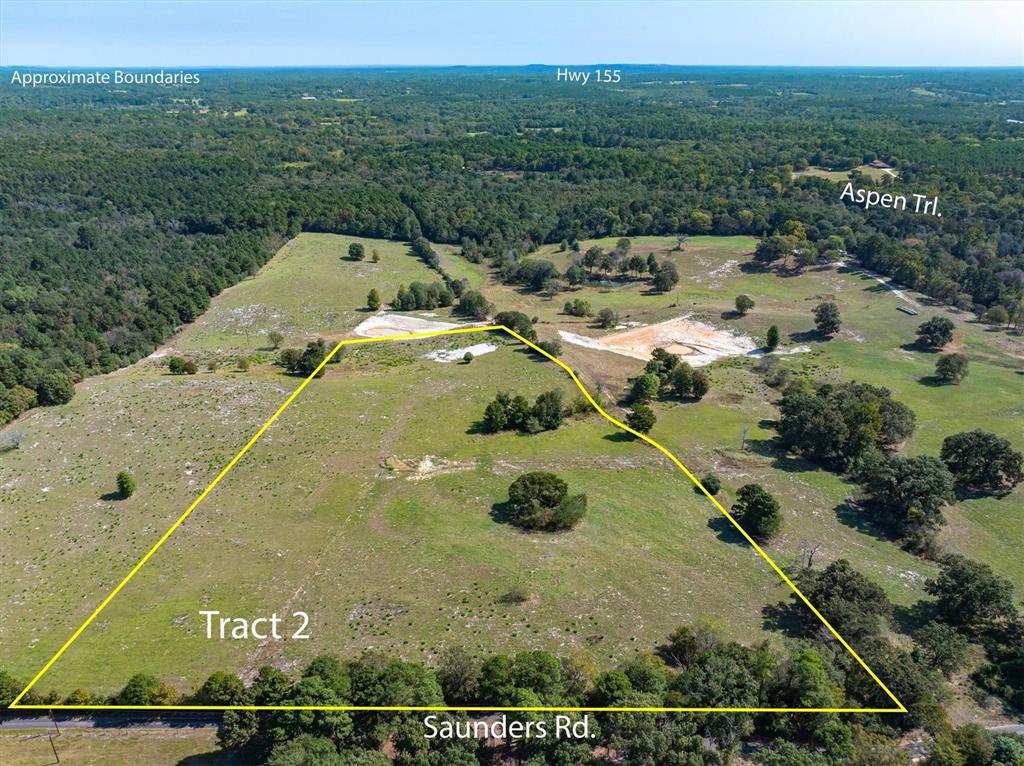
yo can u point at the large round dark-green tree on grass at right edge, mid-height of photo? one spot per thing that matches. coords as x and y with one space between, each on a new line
980 460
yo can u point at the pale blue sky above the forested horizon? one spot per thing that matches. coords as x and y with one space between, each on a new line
267 34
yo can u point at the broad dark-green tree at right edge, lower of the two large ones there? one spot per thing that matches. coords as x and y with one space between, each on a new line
970 595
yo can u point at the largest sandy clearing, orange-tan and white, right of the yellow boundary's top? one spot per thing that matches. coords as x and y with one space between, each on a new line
697 343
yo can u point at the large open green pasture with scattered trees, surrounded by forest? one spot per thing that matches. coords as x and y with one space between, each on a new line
371 504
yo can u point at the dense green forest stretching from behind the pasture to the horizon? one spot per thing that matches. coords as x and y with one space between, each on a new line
121 215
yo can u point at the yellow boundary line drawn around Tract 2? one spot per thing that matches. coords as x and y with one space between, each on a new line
443 708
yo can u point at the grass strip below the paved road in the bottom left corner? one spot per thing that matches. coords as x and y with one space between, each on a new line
185 747
